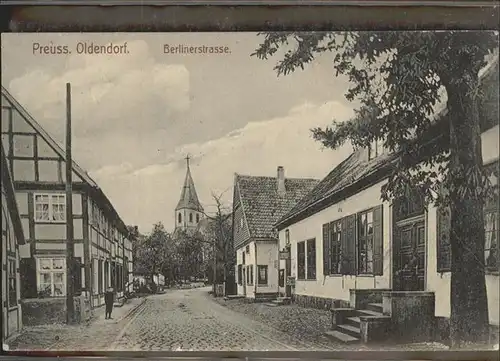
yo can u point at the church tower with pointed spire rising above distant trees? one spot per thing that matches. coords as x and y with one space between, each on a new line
189 211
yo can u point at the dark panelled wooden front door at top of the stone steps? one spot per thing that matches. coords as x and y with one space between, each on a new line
409 256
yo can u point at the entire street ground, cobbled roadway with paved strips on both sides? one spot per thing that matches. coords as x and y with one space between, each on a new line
191 320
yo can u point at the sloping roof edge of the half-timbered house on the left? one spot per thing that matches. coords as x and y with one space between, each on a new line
94 189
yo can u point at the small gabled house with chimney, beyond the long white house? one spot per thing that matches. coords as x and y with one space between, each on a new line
258 202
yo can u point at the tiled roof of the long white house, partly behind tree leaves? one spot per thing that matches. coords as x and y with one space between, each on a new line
357 172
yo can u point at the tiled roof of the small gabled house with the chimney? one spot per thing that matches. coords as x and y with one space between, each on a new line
263 206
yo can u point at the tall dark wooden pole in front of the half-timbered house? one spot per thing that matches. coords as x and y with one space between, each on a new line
70 307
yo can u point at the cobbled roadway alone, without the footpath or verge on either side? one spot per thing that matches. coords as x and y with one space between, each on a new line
192 320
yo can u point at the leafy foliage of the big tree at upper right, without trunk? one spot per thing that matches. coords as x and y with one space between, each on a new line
399 78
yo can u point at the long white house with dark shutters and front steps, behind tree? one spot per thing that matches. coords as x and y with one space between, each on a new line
345 242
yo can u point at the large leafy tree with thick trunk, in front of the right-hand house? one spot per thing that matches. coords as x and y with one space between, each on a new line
399 79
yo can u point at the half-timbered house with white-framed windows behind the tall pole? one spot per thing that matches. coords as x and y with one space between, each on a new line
102 246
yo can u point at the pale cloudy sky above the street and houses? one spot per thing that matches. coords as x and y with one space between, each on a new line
137 115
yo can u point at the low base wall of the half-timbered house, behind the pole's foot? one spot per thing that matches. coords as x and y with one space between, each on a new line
43 311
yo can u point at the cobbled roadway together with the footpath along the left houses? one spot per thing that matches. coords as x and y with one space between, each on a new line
183 320
